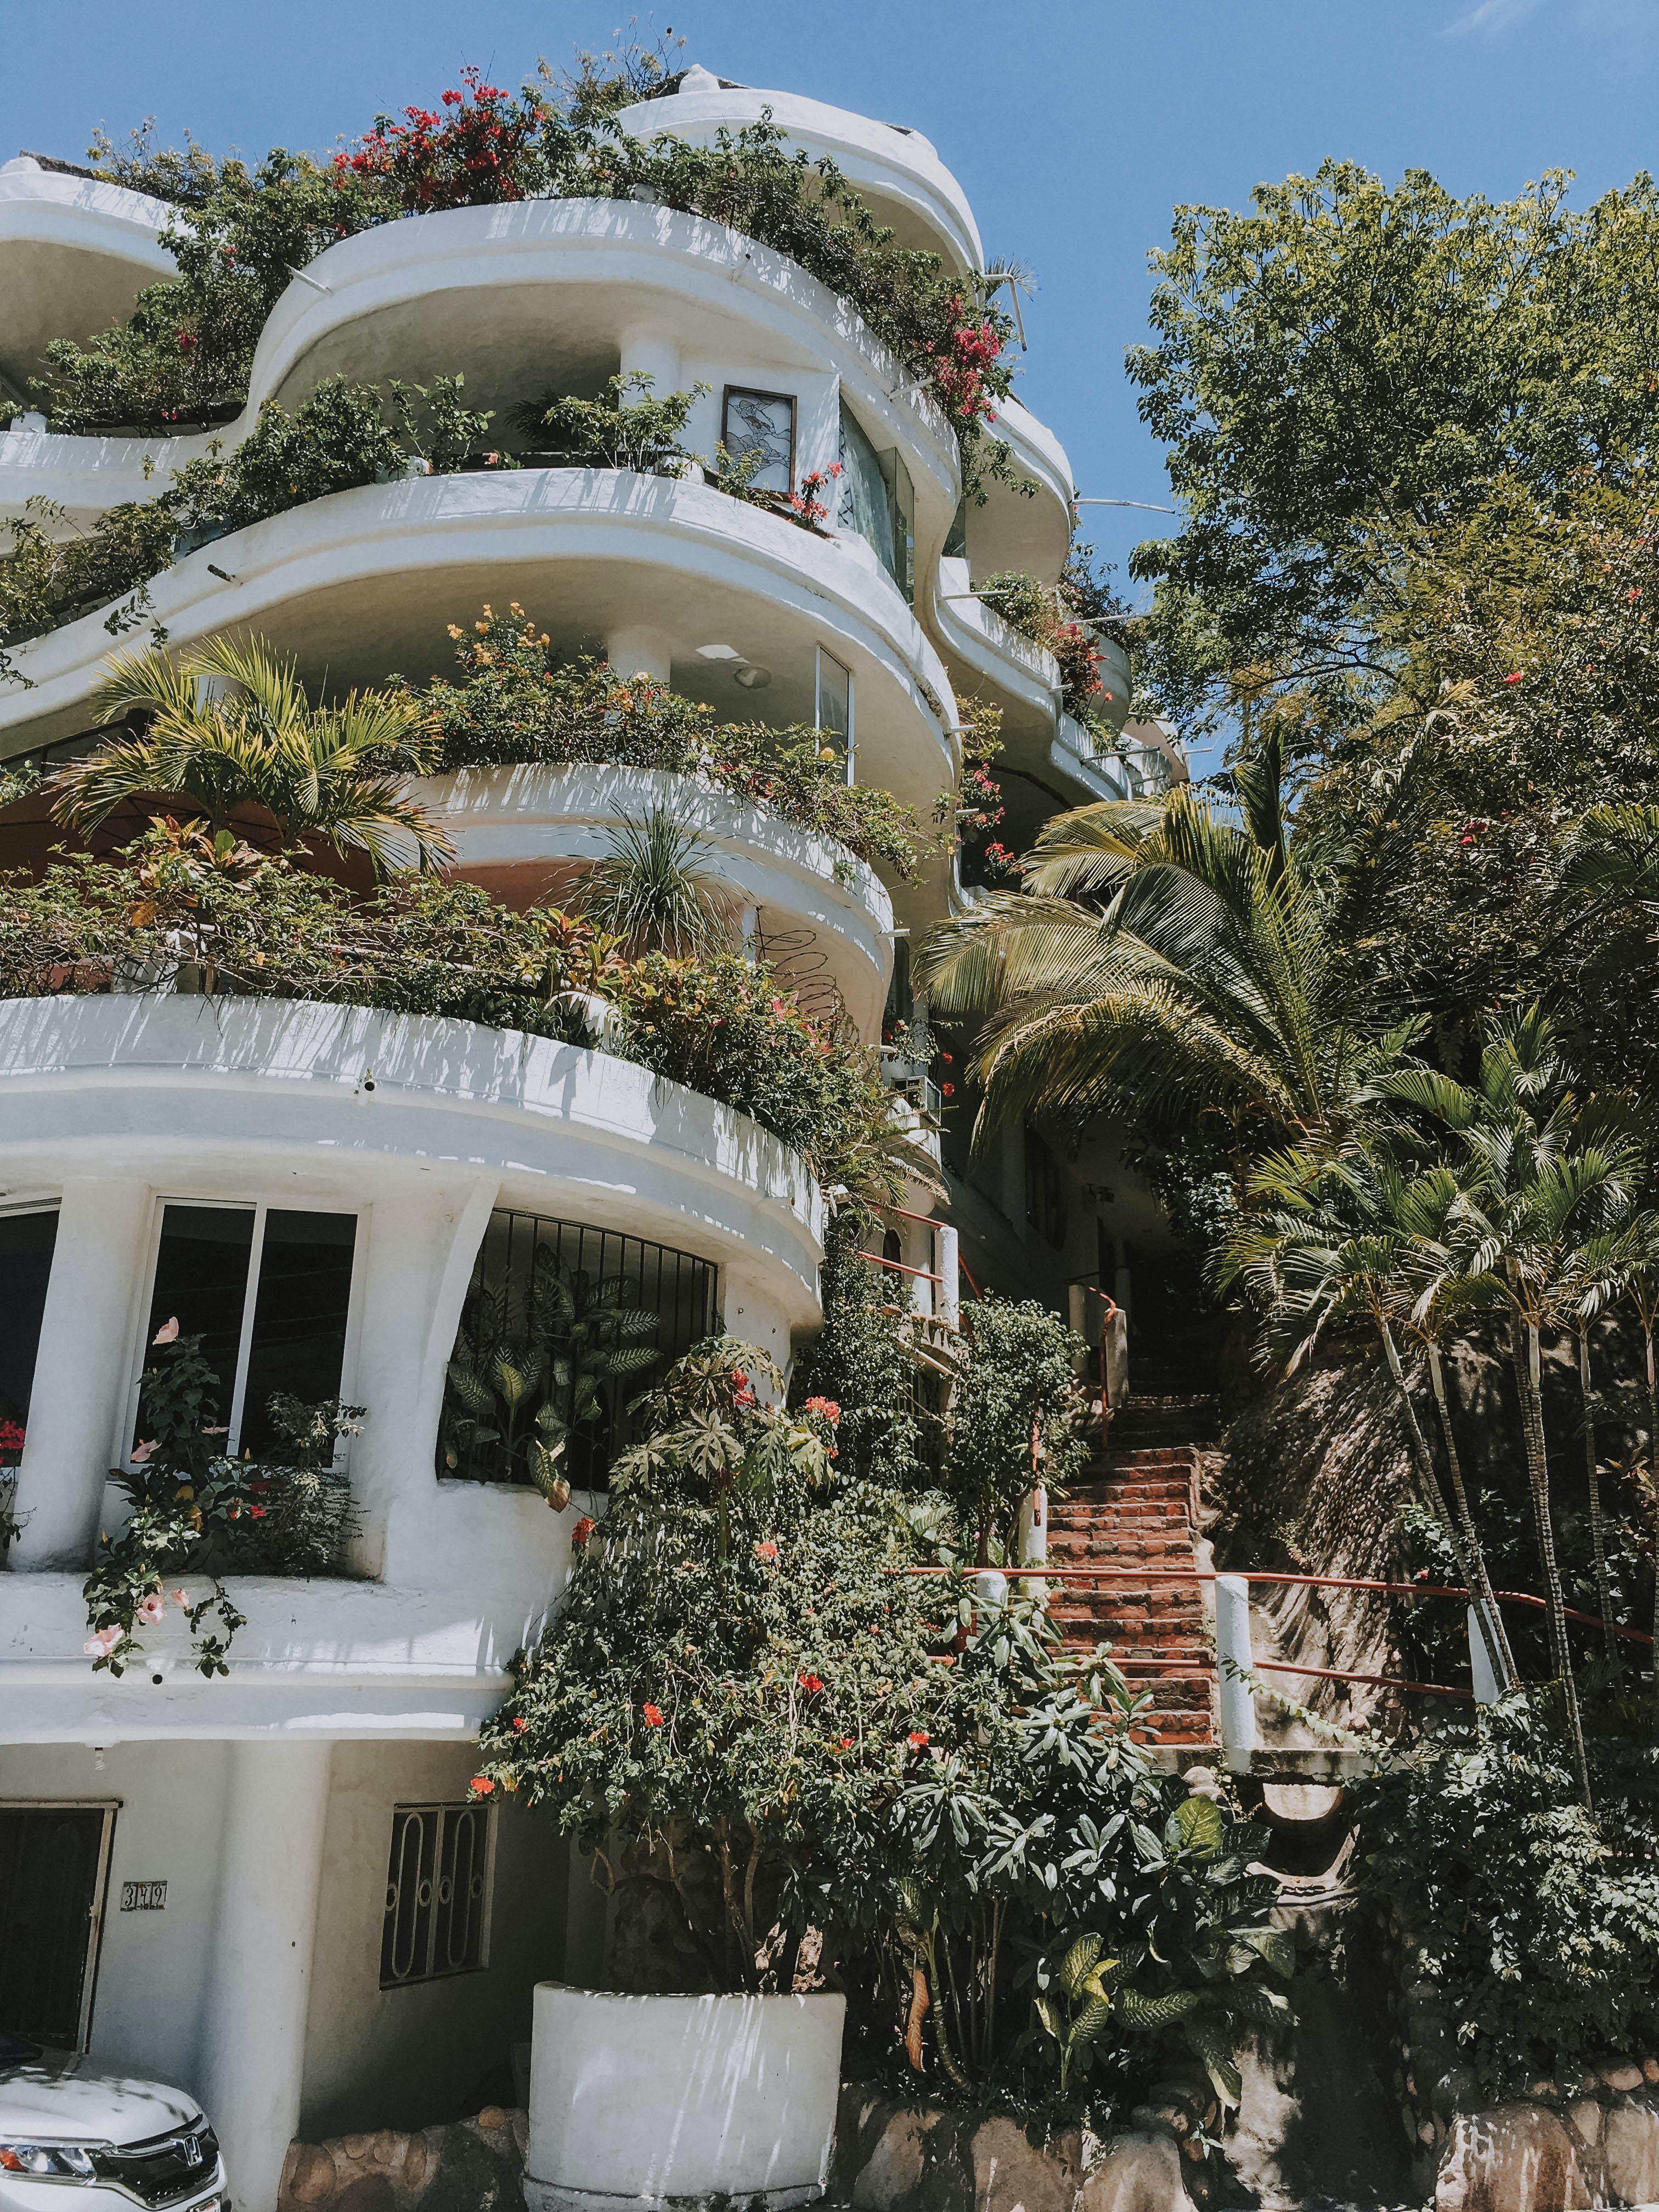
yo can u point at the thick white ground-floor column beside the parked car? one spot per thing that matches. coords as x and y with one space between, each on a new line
253 2027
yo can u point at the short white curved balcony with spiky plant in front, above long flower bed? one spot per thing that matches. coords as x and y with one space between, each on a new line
528 833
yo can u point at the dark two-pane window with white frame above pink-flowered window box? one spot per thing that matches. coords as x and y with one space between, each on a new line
269 1291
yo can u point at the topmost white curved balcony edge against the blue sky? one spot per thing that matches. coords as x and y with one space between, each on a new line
893 169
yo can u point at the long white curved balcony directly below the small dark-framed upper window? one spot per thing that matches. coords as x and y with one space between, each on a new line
368 581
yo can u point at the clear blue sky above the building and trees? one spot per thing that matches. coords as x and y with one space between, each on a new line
1074 127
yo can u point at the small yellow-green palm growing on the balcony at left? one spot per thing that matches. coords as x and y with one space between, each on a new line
227 724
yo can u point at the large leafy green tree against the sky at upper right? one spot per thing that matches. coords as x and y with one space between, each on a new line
1346 357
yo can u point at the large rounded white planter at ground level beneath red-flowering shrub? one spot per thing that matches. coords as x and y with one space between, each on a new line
676 2100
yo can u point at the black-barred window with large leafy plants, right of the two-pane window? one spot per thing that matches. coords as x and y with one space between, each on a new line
674 1286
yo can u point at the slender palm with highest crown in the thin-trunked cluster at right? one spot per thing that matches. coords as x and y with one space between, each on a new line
1550 1178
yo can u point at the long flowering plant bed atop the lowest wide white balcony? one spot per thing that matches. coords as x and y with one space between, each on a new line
202 912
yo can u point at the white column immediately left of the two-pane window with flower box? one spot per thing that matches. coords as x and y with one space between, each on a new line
81 1370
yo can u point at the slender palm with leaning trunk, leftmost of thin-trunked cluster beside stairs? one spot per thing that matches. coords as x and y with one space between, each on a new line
1342 1238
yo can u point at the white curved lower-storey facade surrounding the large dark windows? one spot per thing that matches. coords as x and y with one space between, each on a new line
421 1129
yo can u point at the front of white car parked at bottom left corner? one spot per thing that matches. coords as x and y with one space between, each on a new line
121 2142
